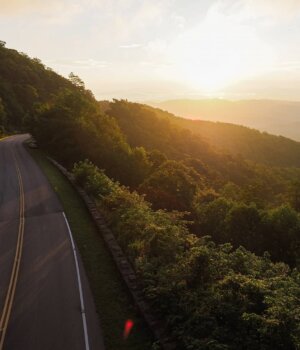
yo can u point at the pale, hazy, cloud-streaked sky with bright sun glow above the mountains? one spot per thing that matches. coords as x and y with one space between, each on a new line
164 49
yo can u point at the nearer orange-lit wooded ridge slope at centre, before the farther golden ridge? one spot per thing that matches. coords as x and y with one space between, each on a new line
144 127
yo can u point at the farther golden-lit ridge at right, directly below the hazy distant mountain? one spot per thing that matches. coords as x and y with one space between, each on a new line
242 141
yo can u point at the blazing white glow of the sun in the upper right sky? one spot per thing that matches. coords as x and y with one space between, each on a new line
218 52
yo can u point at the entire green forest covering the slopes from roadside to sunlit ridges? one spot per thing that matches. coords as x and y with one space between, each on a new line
213 235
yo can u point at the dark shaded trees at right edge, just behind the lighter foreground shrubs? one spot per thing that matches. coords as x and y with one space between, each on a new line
276 230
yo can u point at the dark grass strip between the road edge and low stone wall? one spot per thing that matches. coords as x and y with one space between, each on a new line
112 300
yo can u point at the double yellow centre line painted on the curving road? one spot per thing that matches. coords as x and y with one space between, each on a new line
16 265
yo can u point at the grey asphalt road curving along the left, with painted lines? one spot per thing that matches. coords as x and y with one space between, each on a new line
45 304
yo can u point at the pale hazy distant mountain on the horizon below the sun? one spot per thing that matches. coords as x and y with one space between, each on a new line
275 117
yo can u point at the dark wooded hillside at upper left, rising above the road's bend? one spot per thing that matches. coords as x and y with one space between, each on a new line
24 83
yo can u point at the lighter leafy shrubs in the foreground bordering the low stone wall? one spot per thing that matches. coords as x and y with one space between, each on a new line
213 297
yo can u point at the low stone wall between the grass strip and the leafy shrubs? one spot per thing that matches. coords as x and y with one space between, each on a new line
157 327
